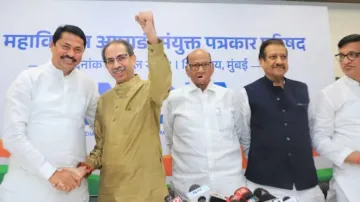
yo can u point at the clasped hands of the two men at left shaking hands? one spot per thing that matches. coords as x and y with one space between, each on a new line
67 179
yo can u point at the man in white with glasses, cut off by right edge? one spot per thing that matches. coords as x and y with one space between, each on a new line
336 129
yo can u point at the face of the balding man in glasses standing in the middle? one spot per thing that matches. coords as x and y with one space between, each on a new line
200 68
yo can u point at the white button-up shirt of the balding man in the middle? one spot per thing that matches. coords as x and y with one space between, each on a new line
203 133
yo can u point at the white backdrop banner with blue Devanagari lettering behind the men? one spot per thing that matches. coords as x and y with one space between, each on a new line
232 33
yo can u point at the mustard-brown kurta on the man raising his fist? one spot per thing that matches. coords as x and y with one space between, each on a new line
127 125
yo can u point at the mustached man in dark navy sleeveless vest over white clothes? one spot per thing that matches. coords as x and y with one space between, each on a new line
276 115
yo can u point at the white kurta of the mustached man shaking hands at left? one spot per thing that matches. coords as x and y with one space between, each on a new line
44 131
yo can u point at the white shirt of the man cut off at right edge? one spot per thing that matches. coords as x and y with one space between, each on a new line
336 132
